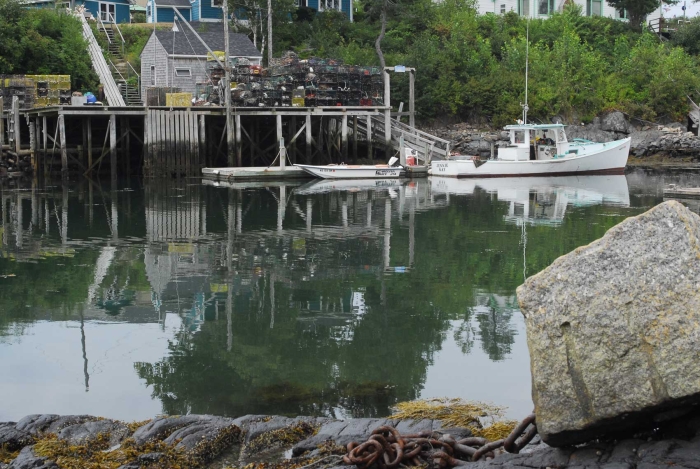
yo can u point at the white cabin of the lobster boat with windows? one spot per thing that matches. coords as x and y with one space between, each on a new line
535 142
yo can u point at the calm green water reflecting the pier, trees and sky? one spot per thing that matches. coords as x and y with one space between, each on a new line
325 299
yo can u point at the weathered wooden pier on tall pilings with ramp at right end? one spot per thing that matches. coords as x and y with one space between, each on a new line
180 141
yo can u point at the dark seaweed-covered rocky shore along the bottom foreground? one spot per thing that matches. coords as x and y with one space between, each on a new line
256 441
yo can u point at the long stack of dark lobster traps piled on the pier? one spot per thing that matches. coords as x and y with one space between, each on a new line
289 81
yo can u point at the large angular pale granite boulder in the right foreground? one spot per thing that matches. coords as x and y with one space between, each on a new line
613 328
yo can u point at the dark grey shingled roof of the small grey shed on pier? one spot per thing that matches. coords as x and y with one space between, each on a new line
183 42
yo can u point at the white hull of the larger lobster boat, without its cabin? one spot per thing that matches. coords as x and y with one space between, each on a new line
599 158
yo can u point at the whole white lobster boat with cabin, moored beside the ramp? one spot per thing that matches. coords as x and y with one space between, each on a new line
540 150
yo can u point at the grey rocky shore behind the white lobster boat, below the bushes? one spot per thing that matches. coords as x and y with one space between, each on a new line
651 144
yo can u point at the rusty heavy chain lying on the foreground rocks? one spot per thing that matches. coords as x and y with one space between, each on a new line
388 449
